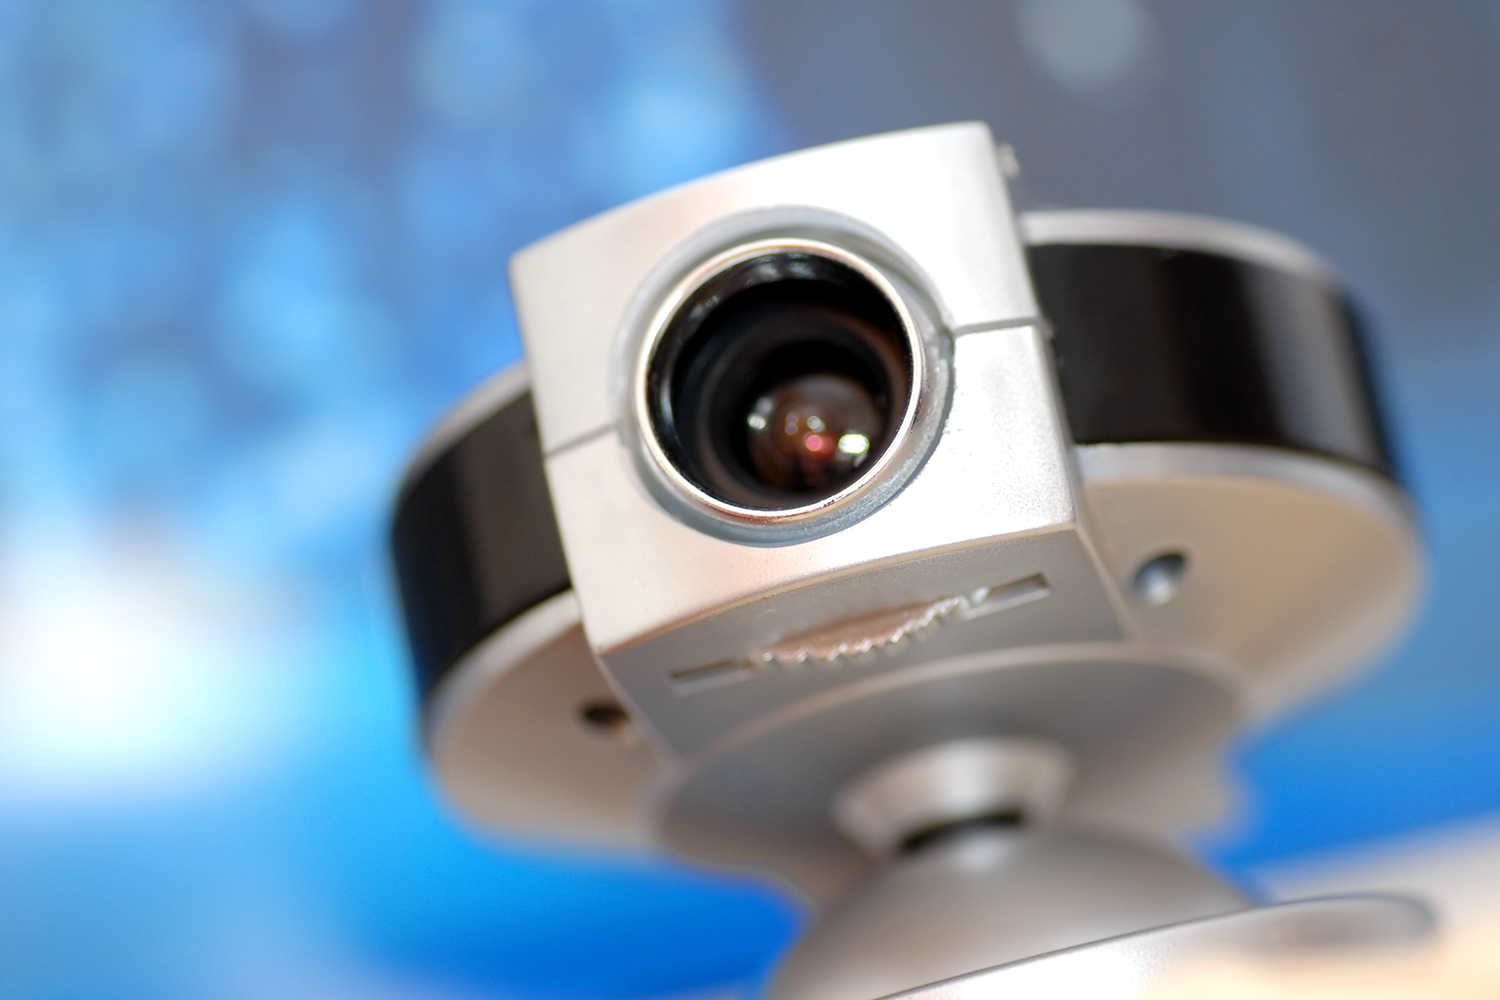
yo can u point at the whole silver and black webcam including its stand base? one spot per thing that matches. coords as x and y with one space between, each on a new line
847 527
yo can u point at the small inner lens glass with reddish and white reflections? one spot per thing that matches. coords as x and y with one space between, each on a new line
814 434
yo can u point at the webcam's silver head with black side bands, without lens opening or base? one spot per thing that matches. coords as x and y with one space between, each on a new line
1006 617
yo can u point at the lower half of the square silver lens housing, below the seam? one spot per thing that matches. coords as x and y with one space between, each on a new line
992 504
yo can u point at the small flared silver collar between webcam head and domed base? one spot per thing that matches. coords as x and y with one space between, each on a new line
950 783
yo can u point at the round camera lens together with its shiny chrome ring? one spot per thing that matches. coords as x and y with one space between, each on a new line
761 379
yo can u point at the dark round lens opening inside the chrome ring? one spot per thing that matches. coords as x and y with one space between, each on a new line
781 382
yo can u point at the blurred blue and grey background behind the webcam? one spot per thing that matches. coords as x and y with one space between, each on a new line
251 250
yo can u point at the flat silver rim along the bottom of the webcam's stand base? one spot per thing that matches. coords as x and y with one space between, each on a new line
1126 968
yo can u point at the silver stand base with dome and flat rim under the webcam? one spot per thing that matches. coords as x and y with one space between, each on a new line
1048 908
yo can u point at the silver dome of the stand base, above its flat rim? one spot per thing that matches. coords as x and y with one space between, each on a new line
991 897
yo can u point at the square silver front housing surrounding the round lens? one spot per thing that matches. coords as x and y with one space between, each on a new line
670 606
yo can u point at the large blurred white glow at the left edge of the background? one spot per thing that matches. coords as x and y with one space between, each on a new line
125 672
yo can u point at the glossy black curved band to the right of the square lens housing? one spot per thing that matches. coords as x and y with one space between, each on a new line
1181 346
